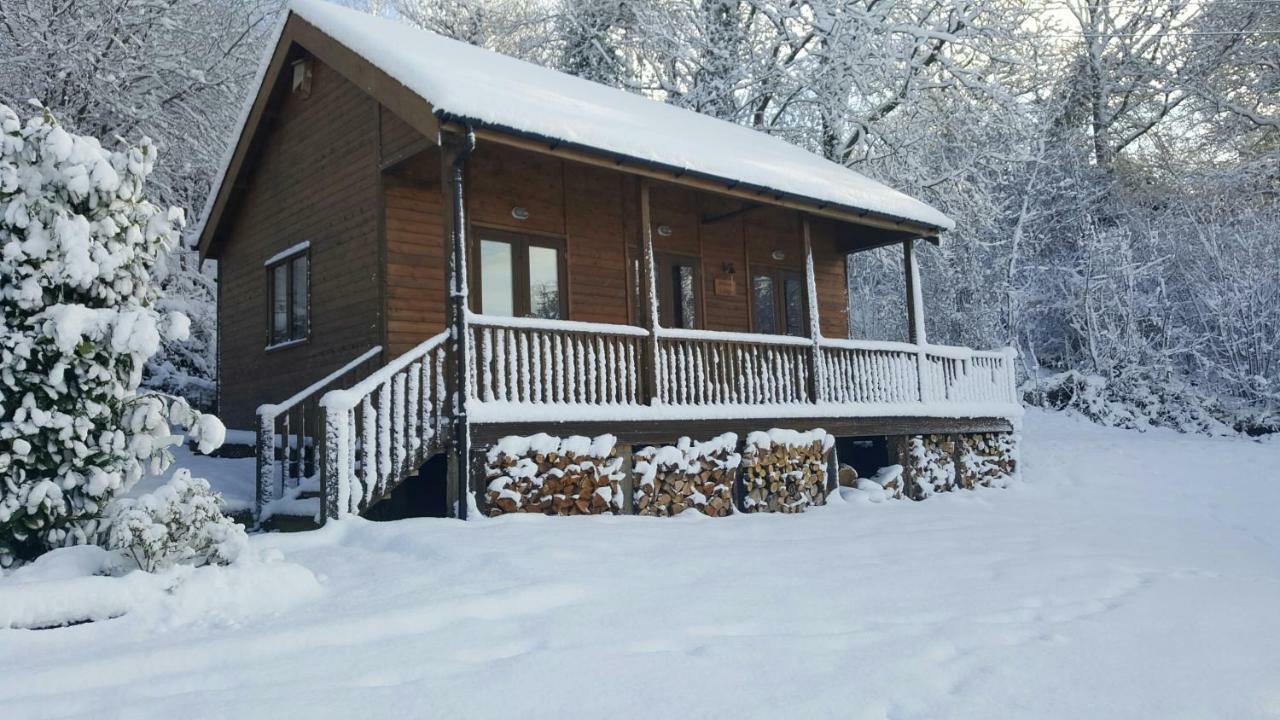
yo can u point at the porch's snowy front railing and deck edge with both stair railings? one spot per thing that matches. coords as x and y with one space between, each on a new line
644 386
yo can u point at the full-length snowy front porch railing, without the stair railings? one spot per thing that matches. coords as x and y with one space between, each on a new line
537 363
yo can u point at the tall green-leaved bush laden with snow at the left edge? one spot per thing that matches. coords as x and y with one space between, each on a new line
79 245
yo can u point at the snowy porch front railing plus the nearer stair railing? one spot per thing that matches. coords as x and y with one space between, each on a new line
383 430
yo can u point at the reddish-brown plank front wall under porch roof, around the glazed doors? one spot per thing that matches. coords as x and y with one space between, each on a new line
597 213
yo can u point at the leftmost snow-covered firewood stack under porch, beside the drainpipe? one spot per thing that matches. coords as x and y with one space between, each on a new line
574 476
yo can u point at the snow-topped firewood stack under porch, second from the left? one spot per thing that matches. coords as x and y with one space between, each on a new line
685 476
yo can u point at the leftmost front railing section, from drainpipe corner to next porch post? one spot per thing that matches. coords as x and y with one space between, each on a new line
555 362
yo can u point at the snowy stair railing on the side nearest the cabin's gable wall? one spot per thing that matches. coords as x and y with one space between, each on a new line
287 431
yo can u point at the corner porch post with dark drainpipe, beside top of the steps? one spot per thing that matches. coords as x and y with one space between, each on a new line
459 331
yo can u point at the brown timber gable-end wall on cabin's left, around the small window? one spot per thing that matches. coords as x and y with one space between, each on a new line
314 179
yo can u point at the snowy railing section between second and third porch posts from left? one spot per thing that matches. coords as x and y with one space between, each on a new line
720 368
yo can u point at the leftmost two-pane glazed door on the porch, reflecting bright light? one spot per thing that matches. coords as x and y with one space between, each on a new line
520 276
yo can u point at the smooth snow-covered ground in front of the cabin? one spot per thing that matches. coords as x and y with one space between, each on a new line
1130 576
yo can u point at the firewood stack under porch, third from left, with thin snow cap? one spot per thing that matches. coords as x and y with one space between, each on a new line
785 471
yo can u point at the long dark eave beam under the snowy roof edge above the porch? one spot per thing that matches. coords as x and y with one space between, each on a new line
719 188
